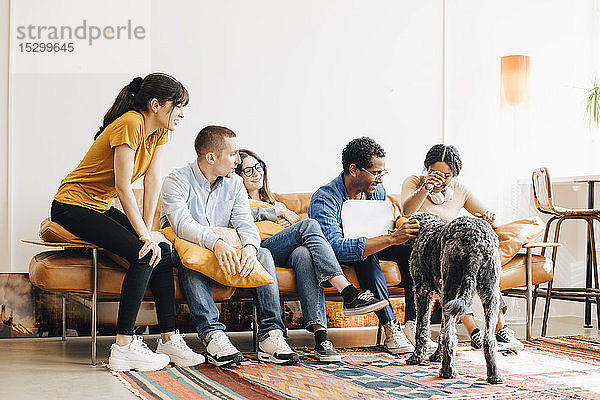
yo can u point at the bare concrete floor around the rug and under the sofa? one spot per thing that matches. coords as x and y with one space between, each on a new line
48 368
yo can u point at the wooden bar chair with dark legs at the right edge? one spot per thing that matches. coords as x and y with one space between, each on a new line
542 197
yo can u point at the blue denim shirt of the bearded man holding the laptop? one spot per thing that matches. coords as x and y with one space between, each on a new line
326 207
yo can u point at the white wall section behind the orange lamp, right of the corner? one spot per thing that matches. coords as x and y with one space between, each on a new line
550 129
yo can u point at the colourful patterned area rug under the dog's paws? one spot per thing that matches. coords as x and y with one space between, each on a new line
558 368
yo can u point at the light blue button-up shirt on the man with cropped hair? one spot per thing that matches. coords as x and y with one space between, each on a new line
190 206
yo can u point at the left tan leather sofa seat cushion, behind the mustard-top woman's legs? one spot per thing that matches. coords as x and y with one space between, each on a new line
70 271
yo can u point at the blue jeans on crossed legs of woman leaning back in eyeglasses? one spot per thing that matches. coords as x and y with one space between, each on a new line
303 247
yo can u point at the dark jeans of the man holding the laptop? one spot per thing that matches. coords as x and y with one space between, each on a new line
370 276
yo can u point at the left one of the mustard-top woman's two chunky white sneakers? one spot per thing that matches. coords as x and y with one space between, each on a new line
136 355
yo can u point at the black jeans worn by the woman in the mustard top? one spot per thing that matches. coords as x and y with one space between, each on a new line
112 231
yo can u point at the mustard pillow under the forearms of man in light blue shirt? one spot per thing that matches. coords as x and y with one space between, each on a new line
200 259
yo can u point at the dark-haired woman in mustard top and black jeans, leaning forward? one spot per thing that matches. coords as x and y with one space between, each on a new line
129 145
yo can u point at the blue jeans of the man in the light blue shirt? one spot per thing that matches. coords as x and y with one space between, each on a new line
205 314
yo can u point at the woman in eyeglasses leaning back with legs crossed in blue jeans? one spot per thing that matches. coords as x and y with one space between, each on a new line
302 246
